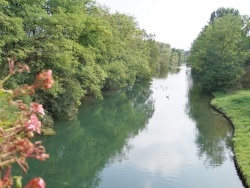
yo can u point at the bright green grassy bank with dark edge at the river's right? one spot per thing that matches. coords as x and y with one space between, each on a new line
236 107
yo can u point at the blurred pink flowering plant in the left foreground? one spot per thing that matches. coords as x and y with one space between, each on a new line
15 145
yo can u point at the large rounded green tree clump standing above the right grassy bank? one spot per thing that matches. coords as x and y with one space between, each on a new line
218 54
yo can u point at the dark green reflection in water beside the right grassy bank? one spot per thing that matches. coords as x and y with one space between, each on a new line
213 131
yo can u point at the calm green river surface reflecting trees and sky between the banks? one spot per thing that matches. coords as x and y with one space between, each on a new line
157 135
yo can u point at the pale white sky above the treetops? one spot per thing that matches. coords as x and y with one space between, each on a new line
177 22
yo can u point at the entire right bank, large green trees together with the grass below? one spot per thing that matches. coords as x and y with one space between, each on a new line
220 59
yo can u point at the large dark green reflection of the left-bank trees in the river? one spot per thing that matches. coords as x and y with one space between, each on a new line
81 149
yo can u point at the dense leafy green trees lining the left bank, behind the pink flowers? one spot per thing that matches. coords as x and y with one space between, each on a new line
88 48
